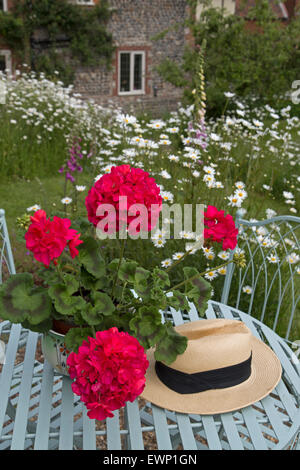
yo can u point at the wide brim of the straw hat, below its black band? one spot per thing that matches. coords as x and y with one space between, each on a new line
265 375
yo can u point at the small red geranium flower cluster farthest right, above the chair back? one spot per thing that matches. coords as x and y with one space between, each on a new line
220 228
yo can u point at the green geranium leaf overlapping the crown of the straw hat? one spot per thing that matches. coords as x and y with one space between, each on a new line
170 345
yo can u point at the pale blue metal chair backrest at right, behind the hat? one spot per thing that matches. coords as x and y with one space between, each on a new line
269 287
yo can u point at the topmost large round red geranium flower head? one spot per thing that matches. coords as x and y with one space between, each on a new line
132 183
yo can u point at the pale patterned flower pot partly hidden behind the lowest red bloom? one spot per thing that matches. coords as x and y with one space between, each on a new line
55 351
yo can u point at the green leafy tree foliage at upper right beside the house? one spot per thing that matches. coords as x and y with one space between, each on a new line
257 56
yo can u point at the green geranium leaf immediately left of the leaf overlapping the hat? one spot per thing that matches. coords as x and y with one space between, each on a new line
147 326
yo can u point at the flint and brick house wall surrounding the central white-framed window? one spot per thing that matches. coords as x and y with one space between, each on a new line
133 25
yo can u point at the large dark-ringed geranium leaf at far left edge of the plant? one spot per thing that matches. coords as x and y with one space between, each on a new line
21 300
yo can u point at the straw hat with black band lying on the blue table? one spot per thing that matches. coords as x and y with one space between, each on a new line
224 368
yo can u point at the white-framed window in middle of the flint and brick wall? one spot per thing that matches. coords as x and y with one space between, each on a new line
131 72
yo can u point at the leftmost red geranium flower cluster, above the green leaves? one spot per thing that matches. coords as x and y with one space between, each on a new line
47 238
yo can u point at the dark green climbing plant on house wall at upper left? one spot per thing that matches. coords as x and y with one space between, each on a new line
56 35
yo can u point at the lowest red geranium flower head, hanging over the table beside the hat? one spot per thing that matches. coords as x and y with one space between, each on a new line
108 371
